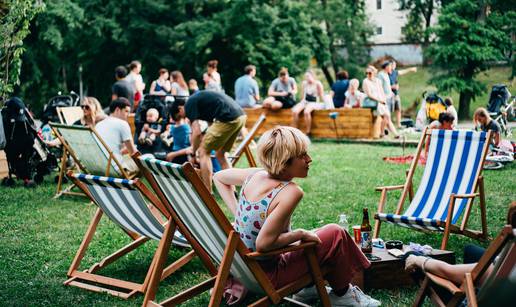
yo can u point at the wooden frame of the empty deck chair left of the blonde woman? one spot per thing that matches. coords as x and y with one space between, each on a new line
84 279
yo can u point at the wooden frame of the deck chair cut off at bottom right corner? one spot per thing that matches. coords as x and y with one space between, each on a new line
471 280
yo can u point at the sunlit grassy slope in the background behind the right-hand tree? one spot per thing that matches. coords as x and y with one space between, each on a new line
413 85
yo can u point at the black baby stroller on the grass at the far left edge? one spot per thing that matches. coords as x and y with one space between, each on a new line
27 155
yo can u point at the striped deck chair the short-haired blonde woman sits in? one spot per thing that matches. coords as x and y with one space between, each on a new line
181 188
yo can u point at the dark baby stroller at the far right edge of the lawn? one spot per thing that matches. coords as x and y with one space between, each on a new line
499 107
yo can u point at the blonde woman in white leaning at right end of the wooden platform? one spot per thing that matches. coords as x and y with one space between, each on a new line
373 89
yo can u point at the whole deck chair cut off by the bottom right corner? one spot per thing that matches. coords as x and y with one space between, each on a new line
498 278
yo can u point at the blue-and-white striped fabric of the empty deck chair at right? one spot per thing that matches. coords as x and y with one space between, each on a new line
454 162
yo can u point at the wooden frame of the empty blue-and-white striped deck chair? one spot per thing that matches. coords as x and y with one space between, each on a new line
407 190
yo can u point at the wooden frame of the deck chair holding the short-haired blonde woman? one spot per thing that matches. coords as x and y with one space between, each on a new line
234 245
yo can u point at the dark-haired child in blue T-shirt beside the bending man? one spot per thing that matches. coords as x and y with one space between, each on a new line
180 132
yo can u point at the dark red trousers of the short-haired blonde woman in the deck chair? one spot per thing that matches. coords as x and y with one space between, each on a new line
337 250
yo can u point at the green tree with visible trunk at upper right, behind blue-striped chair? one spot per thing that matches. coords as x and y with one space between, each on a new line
467 41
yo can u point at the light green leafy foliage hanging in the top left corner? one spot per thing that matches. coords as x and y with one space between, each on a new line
15 17
